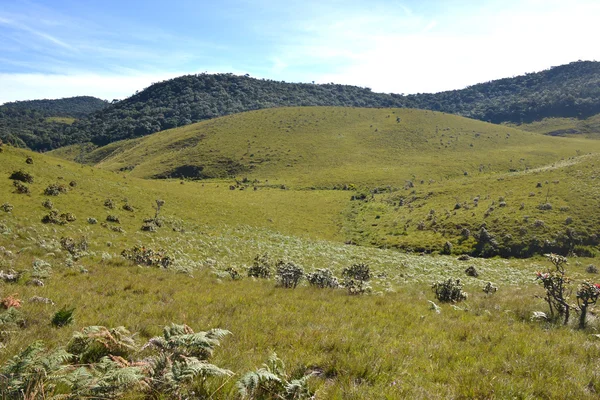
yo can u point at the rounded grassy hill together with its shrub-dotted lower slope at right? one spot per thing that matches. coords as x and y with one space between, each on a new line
421 179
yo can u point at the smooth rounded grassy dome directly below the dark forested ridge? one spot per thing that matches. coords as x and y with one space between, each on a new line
329 146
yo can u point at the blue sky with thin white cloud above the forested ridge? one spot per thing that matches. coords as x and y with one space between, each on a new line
112 48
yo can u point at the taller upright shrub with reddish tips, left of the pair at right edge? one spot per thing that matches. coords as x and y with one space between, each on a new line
556 284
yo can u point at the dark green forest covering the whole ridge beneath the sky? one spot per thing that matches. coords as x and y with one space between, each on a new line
571 90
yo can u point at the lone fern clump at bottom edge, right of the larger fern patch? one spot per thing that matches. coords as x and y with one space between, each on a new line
271 381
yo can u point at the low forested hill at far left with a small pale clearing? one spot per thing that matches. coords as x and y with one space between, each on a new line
40 124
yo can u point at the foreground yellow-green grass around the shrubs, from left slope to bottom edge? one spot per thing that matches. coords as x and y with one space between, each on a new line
386 345
